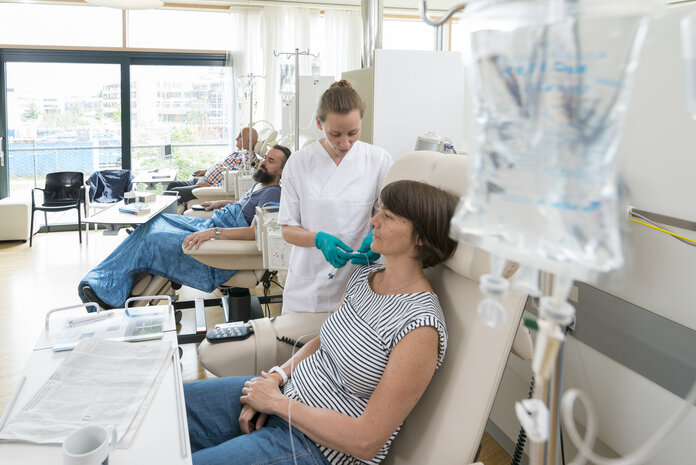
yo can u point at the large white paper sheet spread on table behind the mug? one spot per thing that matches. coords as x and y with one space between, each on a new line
99 383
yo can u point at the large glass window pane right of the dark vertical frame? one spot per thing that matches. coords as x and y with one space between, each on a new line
189 107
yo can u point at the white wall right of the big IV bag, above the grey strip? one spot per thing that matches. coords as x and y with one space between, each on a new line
658 165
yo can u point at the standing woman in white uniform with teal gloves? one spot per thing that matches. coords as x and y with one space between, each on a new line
330 192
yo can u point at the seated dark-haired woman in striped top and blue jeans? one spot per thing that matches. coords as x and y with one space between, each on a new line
349 389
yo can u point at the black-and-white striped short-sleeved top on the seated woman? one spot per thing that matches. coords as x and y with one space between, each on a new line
356 343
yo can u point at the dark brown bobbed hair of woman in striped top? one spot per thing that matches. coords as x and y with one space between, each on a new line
430 209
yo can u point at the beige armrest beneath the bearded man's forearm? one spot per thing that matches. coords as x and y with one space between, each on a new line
228 255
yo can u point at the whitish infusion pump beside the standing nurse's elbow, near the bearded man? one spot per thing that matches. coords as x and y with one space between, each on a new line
269 239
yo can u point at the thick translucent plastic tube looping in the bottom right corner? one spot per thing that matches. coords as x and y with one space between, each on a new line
639 455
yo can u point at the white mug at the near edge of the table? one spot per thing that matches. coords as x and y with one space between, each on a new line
89 445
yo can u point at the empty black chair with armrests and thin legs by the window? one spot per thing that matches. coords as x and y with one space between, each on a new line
63 191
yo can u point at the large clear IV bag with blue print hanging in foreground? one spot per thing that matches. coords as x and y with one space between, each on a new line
549 82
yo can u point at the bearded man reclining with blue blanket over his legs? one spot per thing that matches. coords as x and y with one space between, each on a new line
156 246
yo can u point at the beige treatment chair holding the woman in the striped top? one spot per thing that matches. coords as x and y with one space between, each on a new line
447 424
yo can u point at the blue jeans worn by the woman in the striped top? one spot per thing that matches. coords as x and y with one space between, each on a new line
212 408
